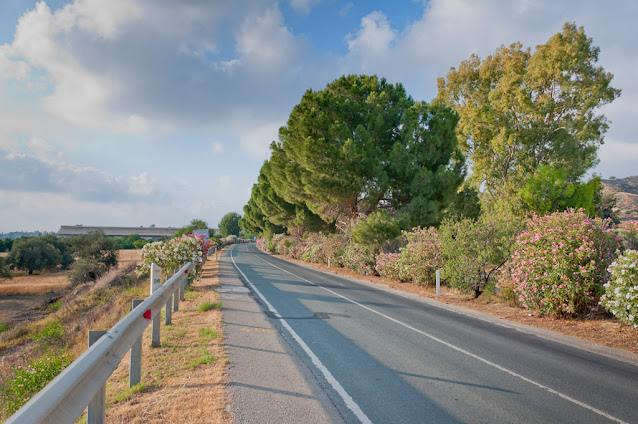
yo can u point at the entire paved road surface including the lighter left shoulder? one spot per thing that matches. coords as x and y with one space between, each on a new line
306 346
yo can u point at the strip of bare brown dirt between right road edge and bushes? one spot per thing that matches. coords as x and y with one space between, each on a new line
602 330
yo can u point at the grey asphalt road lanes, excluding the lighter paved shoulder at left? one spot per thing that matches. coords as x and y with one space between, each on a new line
380 357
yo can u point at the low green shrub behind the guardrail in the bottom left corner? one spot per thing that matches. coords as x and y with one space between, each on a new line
24 382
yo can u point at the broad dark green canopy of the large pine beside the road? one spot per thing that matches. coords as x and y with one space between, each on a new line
363 144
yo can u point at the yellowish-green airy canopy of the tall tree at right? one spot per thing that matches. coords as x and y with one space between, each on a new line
521 111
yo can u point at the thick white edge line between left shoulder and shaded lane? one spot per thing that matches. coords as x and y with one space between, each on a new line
350 403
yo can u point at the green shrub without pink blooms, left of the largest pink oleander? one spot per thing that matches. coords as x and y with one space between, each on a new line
473 250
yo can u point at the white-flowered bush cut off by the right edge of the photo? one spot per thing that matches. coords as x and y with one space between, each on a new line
621 292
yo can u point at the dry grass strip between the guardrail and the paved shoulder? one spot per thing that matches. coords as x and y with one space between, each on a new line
184 380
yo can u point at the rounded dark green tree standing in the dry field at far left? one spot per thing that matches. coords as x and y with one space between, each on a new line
34 254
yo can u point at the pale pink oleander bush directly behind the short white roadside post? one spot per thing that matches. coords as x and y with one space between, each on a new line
417 262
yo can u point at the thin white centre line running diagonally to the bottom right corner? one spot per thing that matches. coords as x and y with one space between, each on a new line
451 346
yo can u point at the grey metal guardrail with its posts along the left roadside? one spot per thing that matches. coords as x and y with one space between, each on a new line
83 383
